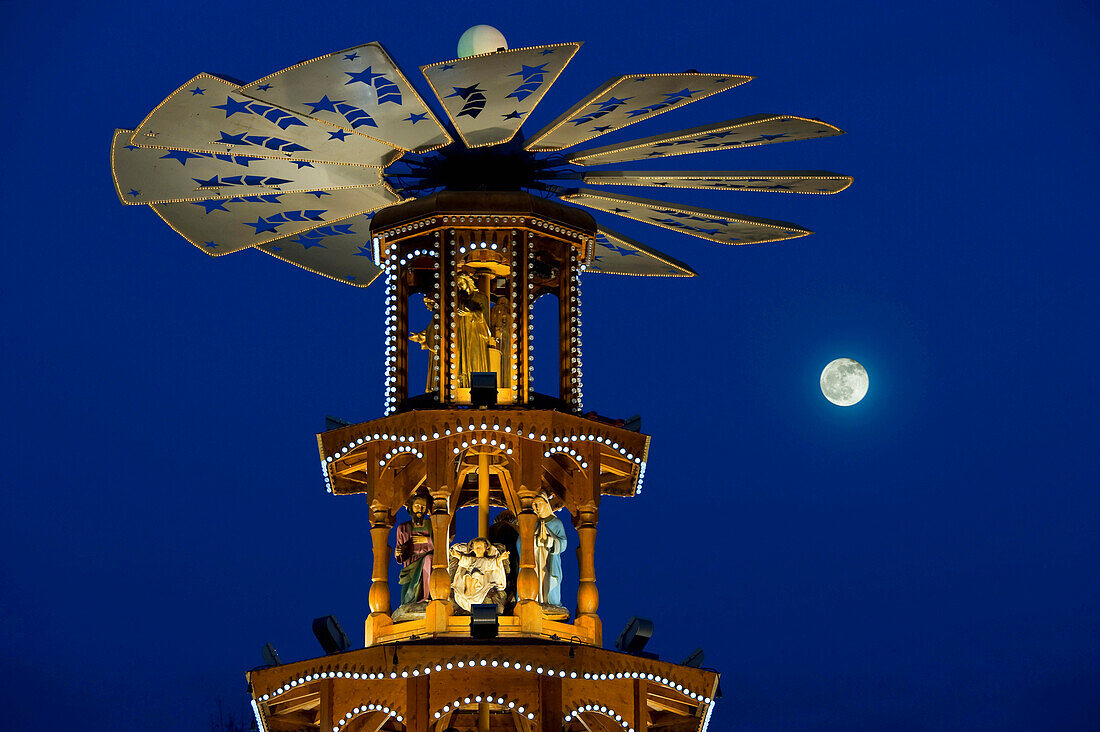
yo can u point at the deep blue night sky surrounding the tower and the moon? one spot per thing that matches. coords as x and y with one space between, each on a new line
926 561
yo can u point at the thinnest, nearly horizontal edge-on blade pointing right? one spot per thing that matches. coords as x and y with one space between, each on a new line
808 182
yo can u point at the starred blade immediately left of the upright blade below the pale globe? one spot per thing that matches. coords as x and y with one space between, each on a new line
360 90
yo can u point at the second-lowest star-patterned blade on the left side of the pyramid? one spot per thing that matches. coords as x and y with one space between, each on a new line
230 225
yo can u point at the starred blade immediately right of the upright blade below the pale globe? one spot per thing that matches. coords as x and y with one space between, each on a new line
624 101
